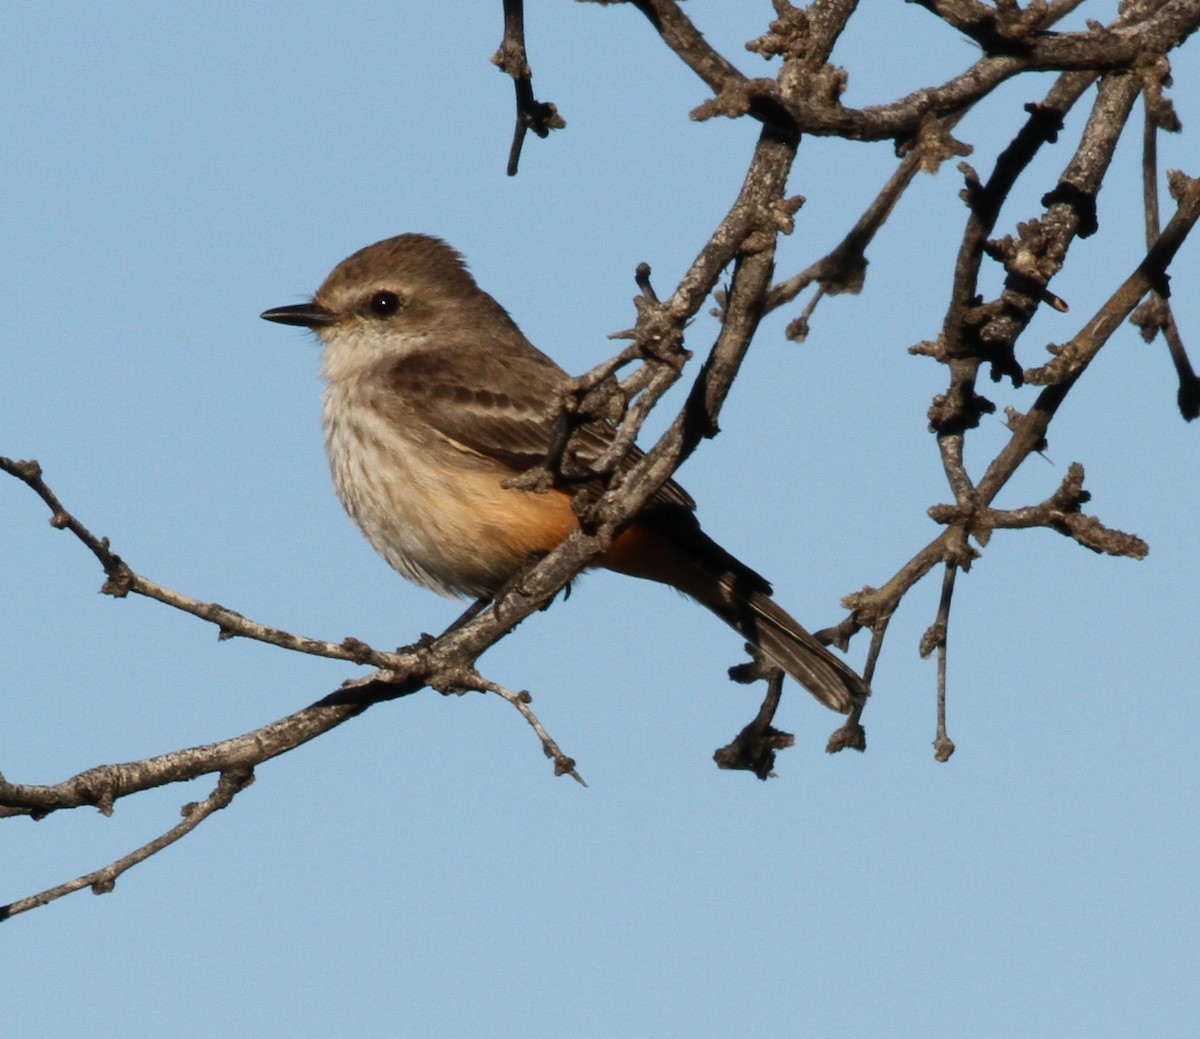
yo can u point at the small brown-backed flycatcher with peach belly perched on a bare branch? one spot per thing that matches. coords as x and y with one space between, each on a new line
435 399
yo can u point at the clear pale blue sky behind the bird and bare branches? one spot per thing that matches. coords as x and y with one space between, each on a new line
172 171
